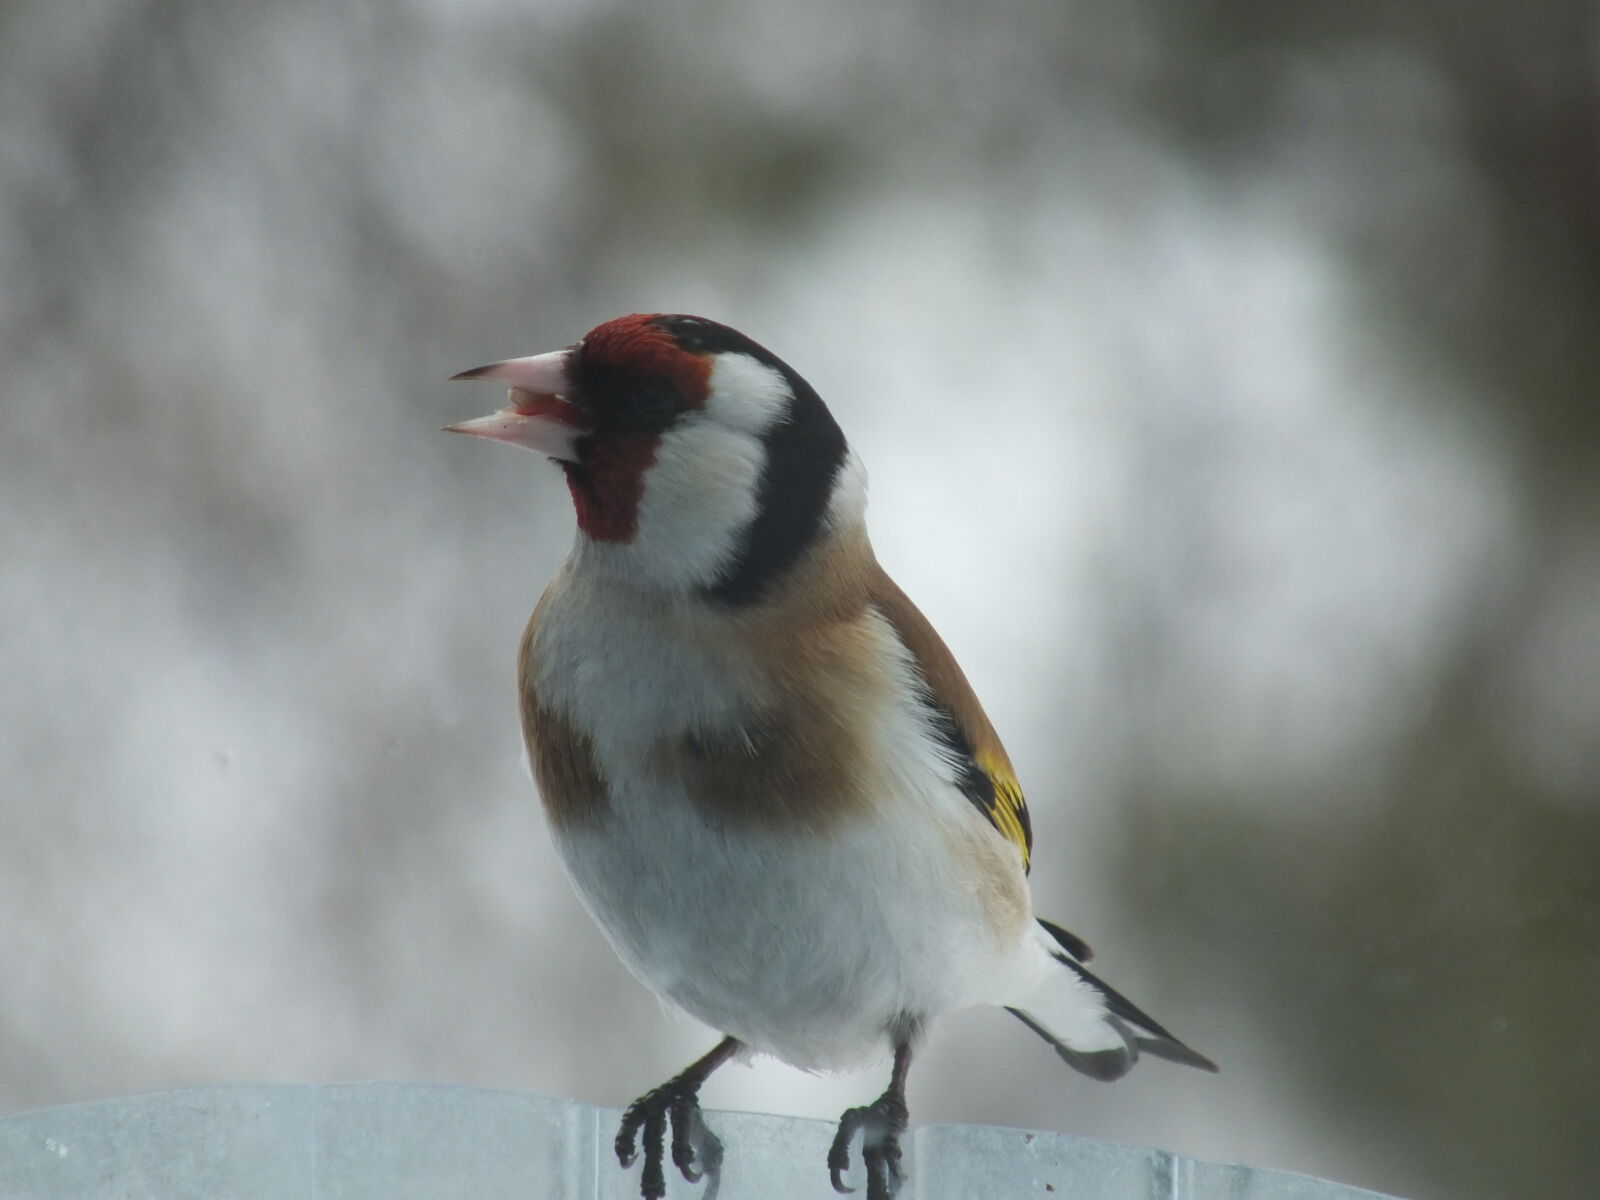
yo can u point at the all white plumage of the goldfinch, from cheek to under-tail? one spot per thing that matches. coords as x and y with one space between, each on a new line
812 948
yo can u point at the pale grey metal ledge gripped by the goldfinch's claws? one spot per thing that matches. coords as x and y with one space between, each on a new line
407 1142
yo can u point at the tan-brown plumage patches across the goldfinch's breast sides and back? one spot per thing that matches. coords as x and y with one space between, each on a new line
812 665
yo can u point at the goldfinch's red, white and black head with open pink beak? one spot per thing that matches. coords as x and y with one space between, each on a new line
698 462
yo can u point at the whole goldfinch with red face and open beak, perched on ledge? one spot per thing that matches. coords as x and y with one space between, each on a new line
766 774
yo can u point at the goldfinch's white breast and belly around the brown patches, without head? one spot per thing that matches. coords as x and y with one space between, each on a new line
807 948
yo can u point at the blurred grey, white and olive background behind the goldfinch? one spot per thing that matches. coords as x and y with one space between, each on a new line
1228 377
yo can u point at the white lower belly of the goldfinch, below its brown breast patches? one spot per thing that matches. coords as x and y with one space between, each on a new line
807 950
